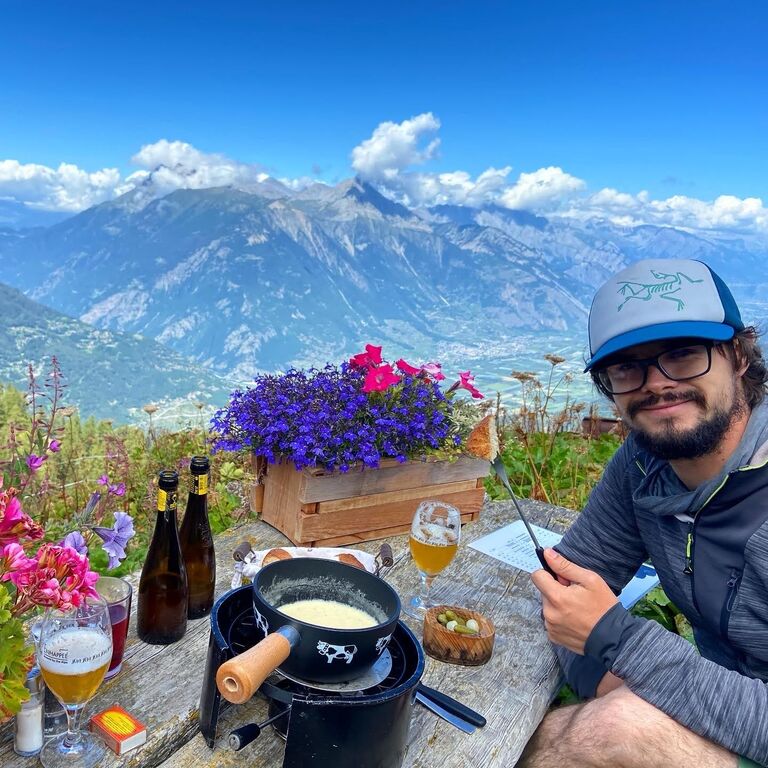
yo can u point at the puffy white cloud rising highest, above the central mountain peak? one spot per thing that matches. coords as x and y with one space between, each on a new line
394 147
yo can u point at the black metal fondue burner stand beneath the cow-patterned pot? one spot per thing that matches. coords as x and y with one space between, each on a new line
343 727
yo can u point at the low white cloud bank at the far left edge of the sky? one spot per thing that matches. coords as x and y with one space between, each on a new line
66 188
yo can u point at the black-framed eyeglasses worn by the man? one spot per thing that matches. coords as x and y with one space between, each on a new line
680 364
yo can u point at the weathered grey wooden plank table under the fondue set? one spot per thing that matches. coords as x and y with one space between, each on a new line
161 684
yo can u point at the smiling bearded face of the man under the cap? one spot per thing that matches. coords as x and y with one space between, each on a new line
682 419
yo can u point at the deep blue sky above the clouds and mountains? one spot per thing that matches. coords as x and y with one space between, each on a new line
666 97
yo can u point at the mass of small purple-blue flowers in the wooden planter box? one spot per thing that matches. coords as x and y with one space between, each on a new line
324 417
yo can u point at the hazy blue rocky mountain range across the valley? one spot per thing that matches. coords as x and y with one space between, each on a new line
236 280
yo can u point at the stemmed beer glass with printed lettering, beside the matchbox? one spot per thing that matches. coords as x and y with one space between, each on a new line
73 652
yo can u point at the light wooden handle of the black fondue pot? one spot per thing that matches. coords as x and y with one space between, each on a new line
240 677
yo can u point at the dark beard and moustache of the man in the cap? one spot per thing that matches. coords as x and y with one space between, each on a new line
672 443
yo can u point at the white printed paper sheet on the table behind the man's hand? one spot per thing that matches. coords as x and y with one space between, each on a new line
512 545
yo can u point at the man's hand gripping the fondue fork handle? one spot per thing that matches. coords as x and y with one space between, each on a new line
571 610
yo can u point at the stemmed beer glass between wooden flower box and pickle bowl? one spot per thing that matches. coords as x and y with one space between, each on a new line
434 539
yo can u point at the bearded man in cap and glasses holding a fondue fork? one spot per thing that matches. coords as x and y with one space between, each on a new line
689 489
